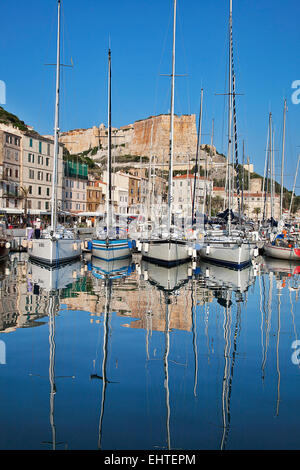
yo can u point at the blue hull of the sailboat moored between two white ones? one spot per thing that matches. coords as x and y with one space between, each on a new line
110 250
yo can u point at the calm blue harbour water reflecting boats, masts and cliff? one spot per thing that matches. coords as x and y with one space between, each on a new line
148 358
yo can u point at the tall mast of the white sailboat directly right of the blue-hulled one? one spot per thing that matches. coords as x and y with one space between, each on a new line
171 149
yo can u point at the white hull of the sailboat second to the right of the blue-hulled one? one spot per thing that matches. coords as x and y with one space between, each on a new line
228 254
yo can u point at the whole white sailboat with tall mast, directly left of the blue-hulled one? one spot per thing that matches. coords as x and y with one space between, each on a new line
57 244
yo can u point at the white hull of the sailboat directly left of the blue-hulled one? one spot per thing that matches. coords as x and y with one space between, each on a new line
52 252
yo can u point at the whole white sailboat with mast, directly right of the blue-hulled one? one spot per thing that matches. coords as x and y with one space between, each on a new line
166 244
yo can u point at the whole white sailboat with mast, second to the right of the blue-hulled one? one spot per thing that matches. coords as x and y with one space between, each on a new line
228 248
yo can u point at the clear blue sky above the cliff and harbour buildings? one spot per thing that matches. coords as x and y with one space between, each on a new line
266 37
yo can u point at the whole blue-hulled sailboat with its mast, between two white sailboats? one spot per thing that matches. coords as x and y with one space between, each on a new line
111 241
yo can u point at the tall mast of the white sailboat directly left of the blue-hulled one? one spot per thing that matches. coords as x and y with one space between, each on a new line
56 128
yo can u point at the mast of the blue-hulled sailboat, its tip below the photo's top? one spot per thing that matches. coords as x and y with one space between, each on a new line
108 198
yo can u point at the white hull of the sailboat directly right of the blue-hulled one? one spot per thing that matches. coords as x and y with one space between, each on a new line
166 252
